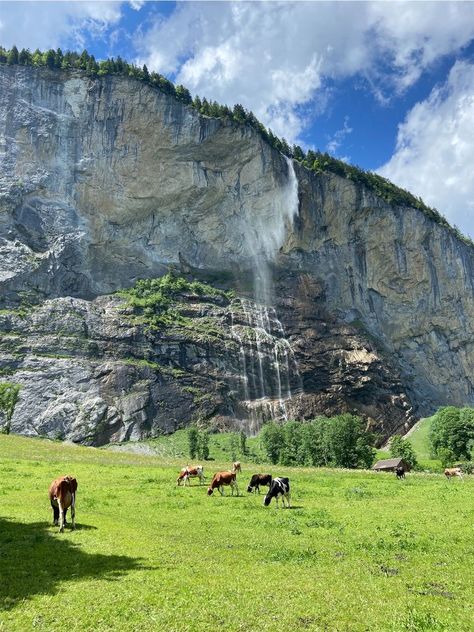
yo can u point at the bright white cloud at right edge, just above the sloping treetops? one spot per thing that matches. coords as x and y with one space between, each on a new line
435 149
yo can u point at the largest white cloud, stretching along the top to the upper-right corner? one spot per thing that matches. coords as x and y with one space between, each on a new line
275 58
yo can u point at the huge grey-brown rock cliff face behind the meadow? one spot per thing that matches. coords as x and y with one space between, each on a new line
104 181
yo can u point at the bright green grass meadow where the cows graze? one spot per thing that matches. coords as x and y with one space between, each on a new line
358 550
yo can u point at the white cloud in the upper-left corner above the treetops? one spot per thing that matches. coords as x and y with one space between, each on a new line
46 25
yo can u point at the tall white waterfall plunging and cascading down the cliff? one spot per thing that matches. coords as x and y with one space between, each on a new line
267 365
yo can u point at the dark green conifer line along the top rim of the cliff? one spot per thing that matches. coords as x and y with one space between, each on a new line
316 161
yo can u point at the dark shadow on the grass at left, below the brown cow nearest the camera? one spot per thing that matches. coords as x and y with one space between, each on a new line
35 560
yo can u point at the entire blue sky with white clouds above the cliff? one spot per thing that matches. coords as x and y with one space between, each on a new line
385 85
